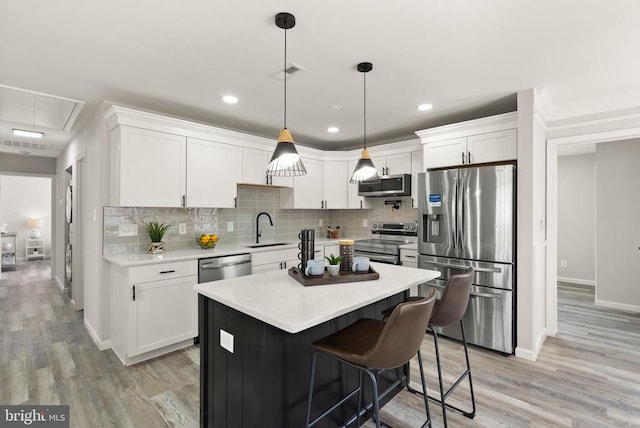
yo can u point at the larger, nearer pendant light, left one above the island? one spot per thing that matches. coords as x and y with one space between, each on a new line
285 160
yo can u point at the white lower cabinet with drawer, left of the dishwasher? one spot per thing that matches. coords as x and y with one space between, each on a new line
154 309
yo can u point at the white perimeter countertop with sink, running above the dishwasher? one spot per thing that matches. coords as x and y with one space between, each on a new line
196 253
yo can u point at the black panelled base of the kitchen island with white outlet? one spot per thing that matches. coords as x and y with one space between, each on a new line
265 381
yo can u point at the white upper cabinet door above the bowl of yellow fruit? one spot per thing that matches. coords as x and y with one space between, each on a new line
212 174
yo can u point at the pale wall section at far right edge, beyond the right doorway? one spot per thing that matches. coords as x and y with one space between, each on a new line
618 230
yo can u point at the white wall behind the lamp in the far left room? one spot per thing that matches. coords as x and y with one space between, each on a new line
22 198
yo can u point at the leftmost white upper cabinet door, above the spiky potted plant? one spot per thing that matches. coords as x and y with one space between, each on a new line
148 168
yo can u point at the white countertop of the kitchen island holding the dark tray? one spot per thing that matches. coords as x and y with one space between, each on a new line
279 300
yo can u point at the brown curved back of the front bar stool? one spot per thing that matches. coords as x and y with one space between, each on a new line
402 334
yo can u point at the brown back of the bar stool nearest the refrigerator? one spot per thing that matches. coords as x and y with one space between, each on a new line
454 300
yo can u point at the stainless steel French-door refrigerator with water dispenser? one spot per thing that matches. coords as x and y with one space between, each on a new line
467 218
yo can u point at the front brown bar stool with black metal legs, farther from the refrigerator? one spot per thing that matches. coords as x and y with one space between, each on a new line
373 346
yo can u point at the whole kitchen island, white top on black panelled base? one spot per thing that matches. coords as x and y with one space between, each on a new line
256 333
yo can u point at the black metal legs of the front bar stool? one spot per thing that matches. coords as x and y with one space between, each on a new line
373 375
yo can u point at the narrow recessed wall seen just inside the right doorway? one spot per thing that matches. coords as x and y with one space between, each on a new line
577 218
